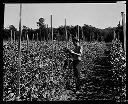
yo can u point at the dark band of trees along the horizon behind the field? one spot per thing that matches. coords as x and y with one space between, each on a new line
43 33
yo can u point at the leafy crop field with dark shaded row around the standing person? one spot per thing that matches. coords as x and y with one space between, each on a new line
42 77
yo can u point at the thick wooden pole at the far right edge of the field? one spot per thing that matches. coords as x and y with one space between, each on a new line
124 29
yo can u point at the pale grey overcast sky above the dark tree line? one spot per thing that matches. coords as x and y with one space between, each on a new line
100 15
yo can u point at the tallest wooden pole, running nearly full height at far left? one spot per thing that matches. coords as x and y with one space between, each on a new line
19 57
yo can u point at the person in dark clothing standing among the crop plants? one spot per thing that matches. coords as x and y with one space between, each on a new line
76 53
